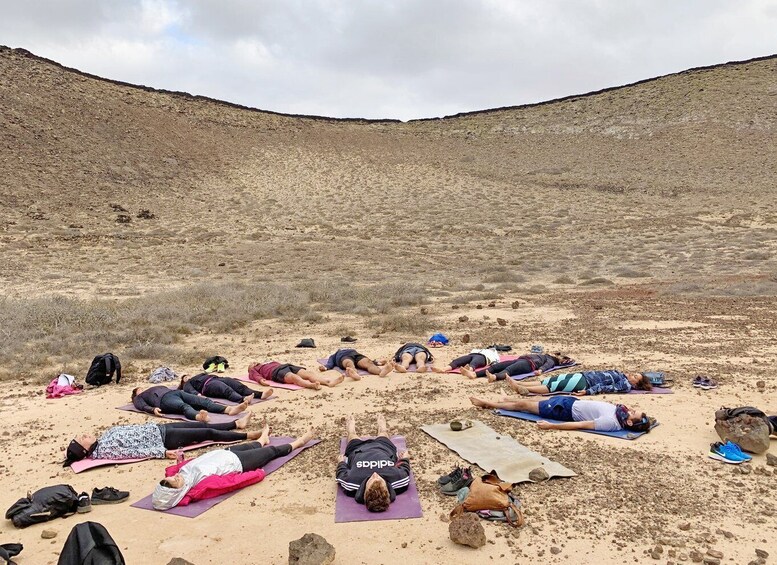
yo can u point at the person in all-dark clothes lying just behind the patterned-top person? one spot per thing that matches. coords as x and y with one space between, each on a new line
159 400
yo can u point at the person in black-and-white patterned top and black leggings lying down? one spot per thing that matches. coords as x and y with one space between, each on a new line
155 441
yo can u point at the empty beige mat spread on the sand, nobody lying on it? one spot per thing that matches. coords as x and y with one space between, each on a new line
492 451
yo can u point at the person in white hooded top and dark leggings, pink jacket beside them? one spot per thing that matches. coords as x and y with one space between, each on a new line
237 459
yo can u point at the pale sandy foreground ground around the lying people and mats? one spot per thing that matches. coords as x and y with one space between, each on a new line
627 497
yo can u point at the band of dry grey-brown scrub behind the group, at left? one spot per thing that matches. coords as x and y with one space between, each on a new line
44 332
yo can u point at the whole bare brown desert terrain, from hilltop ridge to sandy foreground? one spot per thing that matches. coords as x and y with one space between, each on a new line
634 229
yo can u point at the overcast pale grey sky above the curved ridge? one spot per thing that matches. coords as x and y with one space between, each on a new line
388 58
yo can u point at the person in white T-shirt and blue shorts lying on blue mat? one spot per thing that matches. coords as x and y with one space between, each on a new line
575 414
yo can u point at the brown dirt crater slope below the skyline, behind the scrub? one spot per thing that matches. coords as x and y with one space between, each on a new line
673 177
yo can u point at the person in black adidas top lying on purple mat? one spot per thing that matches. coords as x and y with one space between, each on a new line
371 470
